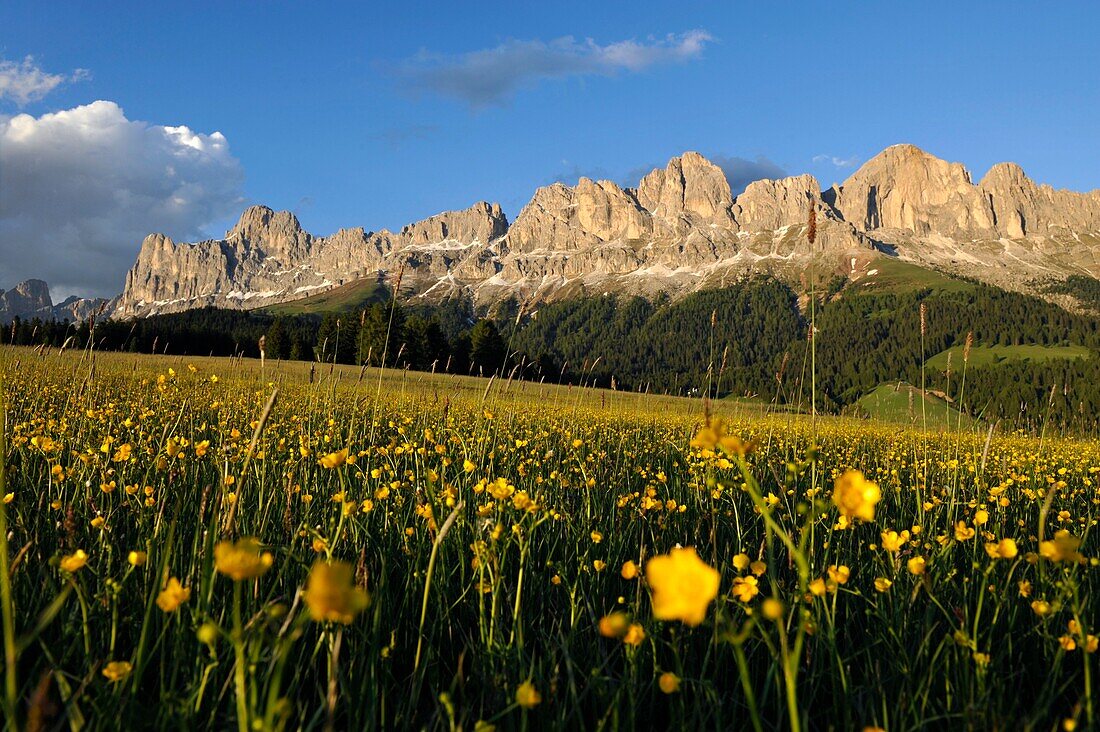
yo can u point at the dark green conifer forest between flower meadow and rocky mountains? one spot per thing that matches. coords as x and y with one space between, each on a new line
750 340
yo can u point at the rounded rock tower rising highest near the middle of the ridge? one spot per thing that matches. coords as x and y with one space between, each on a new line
689 185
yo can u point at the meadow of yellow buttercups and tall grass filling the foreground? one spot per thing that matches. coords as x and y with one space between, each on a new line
204 543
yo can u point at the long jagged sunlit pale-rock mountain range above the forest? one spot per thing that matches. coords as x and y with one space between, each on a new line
680 230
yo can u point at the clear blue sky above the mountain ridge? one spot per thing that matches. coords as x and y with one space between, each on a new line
377 116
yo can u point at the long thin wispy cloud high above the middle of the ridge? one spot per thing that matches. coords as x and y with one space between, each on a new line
493 75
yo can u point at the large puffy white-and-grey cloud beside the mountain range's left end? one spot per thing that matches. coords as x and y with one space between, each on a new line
81 189
